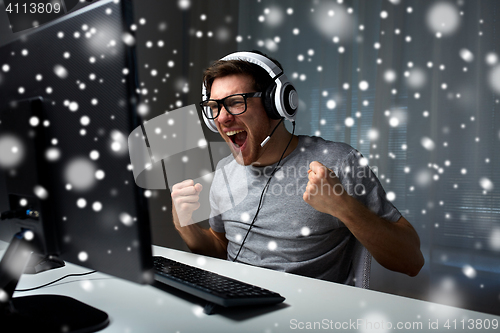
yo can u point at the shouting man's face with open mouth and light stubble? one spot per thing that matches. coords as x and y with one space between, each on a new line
245 132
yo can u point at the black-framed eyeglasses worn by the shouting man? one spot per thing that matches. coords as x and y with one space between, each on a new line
234 104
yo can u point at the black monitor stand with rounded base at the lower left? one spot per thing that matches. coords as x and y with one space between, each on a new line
39 313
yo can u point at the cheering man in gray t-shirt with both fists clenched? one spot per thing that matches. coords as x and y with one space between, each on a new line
318 205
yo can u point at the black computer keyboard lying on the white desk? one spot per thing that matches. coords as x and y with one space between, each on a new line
214 288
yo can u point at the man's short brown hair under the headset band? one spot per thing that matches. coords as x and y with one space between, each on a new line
221 68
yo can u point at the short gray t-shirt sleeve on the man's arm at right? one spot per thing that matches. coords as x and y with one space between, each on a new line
361 182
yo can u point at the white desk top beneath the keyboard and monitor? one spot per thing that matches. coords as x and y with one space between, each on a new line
143 308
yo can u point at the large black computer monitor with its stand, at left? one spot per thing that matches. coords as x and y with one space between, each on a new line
67 104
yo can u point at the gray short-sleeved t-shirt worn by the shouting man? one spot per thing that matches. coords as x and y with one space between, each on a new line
288 234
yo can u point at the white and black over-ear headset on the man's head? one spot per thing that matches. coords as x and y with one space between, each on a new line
280 99
